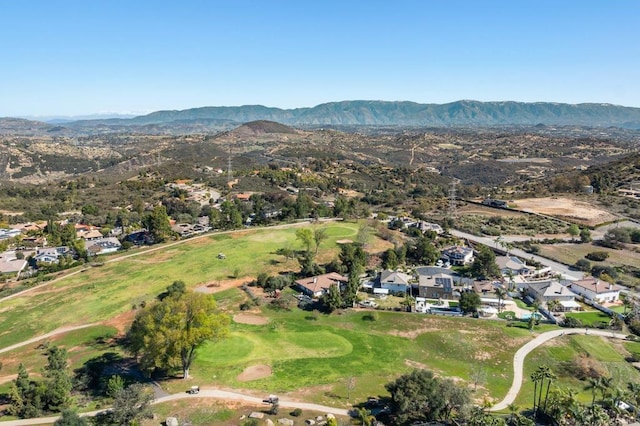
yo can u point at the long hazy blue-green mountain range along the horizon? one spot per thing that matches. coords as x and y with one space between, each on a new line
359 113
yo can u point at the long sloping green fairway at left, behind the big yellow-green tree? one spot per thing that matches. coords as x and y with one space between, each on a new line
103 292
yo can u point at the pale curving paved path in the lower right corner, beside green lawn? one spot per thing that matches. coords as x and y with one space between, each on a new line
518 358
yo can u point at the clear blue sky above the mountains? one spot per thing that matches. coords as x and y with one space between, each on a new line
81 57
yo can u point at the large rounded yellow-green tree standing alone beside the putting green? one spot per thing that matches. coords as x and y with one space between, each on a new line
166 334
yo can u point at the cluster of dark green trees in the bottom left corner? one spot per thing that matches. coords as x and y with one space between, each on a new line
32 398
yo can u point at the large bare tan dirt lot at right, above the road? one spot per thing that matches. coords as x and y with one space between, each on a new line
566 208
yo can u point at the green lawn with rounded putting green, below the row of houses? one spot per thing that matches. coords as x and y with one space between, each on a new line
321 351
